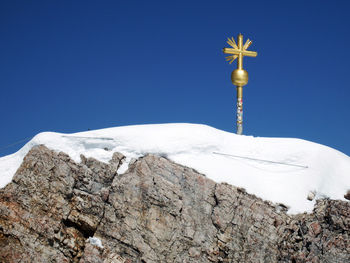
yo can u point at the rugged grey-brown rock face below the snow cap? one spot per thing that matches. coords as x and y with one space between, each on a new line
158 211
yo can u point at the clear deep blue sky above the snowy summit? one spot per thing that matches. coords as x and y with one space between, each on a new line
70 66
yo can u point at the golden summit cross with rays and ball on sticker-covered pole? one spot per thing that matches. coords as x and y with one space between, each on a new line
239 76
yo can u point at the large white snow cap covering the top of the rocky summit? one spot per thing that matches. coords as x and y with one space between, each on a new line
320 172
